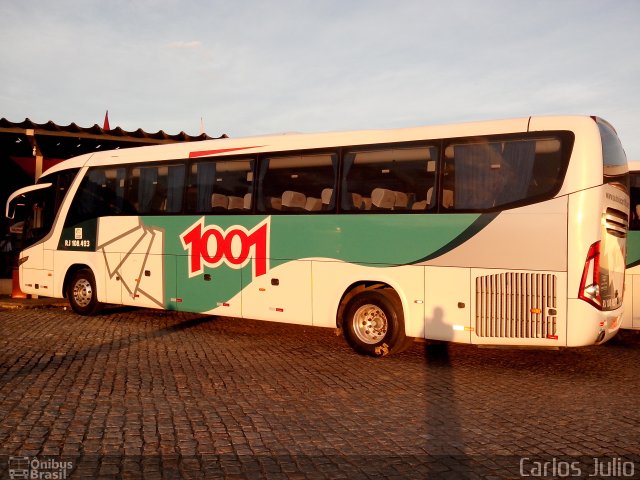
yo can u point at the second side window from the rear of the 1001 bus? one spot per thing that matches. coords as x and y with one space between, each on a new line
394 179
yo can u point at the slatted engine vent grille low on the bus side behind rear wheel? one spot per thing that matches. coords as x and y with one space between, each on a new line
516 305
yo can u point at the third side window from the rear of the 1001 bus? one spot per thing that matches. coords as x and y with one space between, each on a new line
297 183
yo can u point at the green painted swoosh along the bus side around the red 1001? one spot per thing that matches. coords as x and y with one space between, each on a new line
372 240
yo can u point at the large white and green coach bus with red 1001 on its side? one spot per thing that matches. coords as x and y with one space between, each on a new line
507 232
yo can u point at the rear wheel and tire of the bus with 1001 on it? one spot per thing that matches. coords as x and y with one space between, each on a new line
373 323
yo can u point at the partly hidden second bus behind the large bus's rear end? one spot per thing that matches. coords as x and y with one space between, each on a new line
631 316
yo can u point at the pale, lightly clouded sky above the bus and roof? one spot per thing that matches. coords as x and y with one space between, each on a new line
256 67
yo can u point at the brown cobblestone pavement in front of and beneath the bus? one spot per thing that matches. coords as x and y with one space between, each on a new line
149 394
